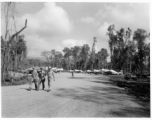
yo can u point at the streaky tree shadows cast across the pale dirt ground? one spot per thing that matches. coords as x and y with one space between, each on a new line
106 93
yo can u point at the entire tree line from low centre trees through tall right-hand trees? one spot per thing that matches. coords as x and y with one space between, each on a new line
129 51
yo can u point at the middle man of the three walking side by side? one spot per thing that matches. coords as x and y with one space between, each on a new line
42 75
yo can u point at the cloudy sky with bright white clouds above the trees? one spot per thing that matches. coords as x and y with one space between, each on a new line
55 25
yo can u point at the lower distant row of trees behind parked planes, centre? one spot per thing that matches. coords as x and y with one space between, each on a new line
78 56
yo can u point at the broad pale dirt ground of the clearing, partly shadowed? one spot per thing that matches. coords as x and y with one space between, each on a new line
82 96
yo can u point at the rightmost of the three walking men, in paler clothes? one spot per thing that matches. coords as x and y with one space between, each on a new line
50 77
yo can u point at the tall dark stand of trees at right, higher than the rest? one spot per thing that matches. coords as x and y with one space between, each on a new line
129 51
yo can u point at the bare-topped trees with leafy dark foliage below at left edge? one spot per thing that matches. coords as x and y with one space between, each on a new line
13 47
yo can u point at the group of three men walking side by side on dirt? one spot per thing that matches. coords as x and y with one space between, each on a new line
39 77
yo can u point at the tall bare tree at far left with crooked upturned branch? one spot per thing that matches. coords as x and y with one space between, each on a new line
8 15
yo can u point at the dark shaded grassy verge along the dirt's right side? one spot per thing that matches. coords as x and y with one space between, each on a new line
139 87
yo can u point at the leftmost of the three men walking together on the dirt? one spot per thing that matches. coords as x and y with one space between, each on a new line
34 79
